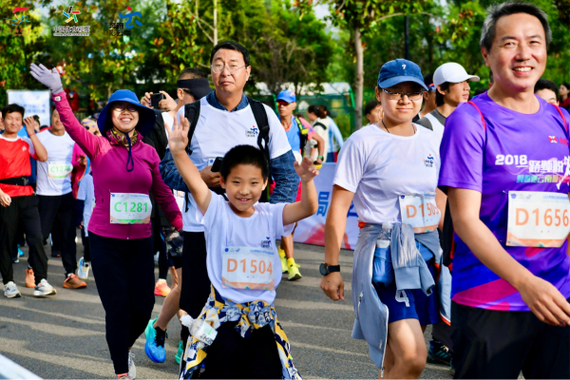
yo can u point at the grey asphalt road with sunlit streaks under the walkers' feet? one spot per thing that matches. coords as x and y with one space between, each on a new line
63 337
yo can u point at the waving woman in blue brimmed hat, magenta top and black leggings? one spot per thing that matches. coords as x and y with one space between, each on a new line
124 170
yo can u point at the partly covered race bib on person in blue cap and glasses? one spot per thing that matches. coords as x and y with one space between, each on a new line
420 211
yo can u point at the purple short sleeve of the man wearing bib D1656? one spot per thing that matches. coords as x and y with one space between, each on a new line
462 150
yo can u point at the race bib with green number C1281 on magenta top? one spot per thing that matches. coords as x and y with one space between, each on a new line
130 208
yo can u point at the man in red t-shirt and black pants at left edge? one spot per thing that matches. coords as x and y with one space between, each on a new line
18 201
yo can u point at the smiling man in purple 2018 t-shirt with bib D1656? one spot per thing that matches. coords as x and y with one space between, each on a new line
505 168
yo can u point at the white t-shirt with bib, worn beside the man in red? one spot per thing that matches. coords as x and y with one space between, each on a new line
54 175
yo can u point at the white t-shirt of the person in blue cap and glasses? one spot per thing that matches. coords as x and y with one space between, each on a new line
379 167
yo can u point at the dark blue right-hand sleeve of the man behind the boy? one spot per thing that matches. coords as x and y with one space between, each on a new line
286 179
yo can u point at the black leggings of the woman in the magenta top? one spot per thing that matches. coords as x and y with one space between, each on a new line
124 275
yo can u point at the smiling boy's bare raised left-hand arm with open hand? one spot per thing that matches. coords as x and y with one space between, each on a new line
177 141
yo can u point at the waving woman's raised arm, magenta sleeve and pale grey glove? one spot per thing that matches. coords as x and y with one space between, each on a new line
50 78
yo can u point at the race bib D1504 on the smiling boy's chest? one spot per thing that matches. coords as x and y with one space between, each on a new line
248 268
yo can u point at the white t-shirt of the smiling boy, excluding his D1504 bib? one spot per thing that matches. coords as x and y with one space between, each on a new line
223 229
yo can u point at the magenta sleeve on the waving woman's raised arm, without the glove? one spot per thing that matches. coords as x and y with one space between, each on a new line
86 141
